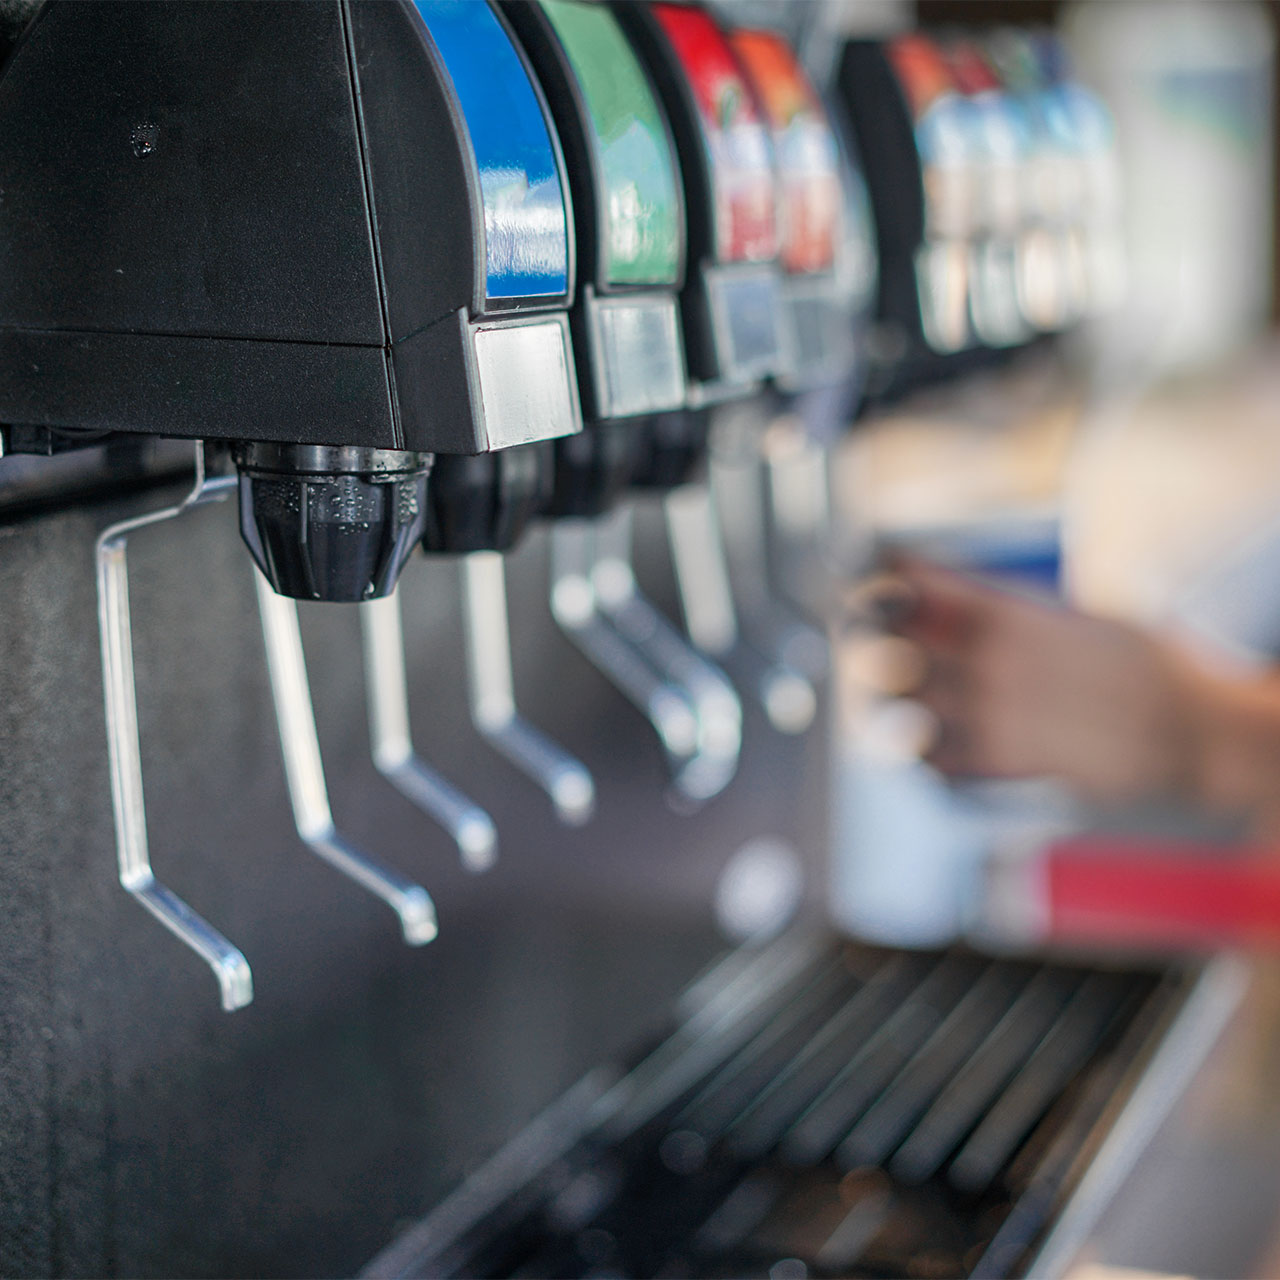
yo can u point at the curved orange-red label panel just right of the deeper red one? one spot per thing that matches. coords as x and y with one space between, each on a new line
806 149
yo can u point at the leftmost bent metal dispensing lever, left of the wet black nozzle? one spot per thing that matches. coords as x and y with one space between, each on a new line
125 752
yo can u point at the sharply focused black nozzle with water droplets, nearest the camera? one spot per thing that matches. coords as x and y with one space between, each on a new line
331 523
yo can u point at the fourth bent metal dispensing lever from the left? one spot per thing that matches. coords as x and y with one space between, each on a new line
493 703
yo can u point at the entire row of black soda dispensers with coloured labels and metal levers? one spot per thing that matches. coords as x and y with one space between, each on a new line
423 275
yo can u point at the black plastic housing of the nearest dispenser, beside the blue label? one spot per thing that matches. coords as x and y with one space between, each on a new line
240 222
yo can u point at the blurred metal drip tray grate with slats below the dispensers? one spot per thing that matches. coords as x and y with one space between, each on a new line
820 1112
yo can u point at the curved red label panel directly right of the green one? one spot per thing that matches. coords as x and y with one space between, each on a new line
747 228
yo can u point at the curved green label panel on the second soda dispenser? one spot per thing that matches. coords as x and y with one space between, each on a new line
642 217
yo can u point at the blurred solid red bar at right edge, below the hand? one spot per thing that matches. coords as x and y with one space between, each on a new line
1173 895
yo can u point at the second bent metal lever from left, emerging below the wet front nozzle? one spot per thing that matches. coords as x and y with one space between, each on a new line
304 771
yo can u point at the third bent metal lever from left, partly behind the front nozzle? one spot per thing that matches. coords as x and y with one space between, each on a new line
387 692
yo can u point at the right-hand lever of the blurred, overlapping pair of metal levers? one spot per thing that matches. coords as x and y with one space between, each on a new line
638 621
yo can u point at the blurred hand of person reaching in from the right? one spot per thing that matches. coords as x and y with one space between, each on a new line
1021 688
